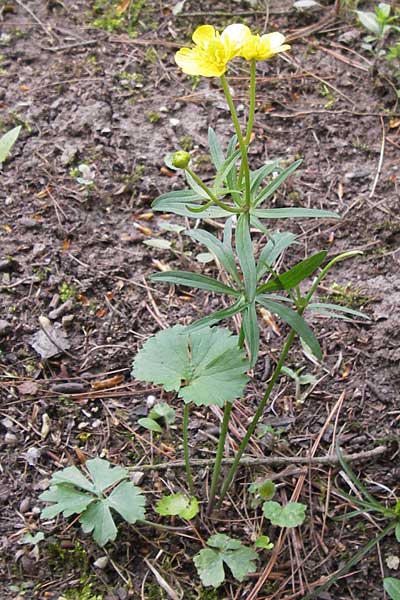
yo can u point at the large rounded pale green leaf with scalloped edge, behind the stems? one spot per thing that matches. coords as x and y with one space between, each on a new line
205 367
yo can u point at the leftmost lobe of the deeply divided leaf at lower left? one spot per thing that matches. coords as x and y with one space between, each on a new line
66 499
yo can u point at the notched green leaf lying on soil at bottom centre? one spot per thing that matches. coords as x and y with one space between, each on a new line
224 550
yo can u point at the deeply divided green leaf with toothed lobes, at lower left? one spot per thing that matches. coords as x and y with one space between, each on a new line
71 493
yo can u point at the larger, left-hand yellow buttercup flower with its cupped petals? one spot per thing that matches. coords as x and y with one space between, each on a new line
212 50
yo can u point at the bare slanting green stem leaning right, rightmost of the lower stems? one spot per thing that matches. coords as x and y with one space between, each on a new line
231 473
